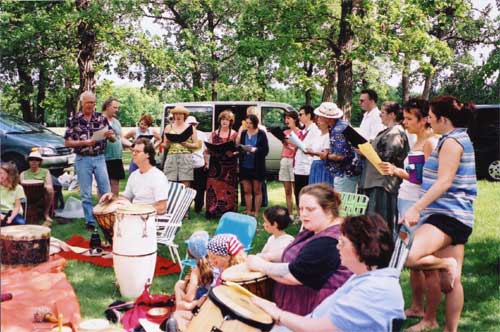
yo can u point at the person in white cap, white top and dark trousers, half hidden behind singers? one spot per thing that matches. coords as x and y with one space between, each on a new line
200 166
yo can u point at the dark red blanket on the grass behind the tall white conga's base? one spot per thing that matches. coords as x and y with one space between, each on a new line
164 266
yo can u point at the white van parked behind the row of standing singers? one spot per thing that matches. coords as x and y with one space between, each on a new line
270 115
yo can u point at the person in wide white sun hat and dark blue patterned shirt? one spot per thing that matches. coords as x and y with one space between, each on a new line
342 160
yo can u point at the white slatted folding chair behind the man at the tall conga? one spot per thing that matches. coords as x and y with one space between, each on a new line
168 223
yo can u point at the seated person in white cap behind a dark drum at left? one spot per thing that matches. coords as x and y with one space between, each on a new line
35 172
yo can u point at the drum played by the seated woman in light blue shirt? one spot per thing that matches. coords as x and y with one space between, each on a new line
229 309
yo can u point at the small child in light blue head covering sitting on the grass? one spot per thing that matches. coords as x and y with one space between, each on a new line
198 281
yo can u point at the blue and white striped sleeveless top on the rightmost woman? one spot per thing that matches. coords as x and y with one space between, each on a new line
457 201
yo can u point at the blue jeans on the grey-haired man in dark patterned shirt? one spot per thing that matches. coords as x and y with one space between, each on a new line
85 167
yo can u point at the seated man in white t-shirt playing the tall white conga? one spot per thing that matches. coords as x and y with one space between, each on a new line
148 185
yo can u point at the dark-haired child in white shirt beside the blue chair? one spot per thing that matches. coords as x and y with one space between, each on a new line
276 219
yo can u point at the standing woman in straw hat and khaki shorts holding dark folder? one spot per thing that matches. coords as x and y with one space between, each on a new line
179 162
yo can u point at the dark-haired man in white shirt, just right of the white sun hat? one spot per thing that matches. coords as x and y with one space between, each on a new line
371 124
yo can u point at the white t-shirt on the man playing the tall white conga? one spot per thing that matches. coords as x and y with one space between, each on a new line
147 188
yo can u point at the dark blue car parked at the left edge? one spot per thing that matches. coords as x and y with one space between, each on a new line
18 138
